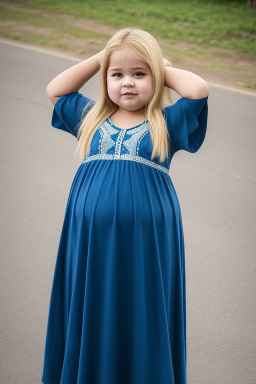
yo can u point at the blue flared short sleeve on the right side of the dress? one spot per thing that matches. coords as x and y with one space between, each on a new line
187 122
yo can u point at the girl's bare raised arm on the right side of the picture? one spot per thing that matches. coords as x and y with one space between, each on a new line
185 83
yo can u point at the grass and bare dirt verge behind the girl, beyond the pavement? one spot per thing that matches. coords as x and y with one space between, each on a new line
191 34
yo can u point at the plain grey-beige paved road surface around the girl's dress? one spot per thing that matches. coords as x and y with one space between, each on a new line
216 187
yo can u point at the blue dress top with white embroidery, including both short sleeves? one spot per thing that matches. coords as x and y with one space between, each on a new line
186 122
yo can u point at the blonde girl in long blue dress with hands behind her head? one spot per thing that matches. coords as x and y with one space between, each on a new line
117 311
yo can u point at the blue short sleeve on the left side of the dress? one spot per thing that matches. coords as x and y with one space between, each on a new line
69 112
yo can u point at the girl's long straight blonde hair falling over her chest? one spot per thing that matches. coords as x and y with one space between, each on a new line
145 48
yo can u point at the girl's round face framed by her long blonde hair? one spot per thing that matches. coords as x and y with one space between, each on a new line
129 80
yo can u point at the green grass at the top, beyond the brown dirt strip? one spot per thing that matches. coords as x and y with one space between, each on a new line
214 23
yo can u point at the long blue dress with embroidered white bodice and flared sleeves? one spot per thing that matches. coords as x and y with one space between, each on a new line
117 312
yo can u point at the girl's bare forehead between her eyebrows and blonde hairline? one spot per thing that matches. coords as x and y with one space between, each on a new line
124 57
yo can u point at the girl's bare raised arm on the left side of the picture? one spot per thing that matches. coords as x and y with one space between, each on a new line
74 78
